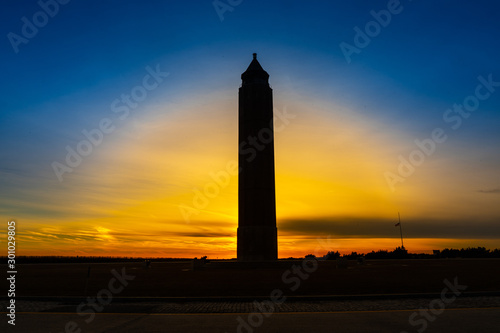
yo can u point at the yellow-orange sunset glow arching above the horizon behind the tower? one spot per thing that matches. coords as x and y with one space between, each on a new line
135 195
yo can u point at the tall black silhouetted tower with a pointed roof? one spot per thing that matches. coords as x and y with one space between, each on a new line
257 232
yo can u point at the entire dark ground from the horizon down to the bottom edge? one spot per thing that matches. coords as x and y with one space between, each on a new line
171 297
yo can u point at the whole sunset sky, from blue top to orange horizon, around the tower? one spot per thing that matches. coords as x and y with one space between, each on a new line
349 108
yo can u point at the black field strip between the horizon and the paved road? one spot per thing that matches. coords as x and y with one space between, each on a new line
176 279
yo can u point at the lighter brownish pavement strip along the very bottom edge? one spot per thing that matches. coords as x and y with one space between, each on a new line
395 321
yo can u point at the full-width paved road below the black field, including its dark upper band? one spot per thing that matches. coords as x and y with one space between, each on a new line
464 314
